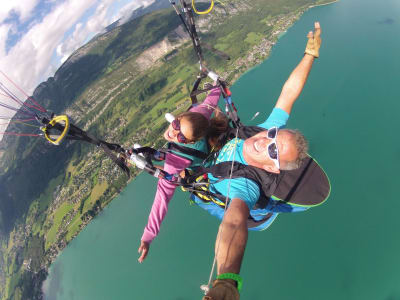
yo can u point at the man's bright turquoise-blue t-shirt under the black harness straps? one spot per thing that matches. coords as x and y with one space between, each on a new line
243 188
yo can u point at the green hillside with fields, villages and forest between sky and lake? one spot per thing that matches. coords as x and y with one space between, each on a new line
118 87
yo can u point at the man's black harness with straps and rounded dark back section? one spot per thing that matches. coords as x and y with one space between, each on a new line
306 186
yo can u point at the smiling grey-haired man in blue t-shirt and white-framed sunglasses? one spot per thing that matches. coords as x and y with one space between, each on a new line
267 150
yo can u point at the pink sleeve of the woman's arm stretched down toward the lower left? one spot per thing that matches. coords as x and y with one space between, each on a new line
165 190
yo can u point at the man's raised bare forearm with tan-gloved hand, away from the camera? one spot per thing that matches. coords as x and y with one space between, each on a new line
297 79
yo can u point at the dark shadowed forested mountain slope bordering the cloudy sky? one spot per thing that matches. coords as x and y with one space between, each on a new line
85 66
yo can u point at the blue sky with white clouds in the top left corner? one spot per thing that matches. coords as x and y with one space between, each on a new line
37 36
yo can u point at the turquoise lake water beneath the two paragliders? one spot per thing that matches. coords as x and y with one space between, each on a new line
346 249
